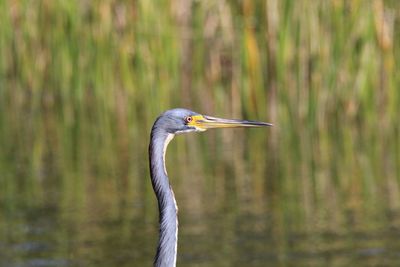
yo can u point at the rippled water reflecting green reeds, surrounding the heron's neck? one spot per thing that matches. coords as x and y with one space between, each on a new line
237 207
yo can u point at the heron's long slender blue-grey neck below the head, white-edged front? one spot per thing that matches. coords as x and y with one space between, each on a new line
168 236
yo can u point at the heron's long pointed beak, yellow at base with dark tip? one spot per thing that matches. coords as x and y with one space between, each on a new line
208 122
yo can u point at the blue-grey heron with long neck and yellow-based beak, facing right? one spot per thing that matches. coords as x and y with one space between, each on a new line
167 125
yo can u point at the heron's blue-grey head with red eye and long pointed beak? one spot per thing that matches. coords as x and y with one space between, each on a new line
176 121
